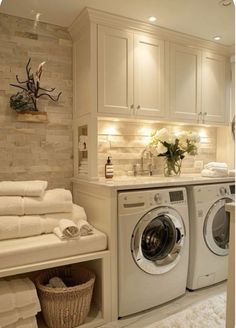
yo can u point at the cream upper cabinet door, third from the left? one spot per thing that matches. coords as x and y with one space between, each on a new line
185 83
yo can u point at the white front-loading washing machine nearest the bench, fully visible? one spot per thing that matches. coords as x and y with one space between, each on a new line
153 248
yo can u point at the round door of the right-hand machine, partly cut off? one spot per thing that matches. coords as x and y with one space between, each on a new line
216 228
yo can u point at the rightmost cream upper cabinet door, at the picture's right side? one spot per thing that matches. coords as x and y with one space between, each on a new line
214 91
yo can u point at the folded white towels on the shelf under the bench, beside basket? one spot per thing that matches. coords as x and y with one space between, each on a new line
19 304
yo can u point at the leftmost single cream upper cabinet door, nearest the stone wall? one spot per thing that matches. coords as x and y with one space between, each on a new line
115 71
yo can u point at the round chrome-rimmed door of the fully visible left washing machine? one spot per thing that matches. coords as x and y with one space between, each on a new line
157 240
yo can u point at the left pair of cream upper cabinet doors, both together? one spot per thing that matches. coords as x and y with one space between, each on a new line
130 73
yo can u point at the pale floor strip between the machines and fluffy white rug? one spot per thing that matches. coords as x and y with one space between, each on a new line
148 317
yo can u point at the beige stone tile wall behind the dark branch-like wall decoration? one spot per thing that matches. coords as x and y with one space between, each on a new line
36 150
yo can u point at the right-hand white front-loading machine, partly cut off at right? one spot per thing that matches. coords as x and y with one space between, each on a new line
209 233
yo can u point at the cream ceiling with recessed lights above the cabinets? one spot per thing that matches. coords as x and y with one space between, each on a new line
201 18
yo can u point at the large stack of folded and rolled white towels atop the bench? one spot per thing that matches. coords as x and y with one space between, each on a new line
28 209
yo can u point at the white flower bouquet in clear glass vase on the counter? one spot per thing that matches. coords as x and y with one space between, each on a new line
173 148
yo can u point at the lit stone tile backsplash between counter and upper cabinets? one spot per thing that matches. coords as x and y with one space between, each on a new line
125 141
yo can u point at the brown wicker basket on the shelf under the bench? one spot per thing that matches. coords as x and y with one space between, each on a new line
65 307
